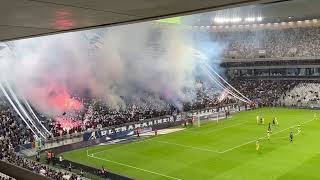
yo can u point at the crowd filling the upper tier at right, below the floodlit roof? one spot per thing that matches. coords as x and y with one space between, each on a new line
277 43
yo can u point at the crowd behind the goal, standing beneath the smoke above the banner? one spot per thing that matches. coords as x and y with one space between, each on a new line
98 114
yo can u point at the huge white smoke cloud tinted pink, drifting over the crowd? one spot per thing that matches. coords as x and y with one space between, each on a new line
110 63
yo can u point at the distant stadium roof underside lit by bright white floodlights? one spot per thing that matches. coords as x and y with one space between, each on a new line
276 11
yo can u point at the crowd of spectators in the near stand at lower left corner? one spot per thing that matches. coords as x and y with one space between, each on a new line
13 133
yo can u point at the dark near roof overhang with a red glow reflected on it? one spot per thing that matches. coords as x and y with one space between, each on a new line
28 18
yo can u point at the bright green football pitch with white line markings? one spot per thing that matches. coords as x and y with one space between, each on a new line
224 150
